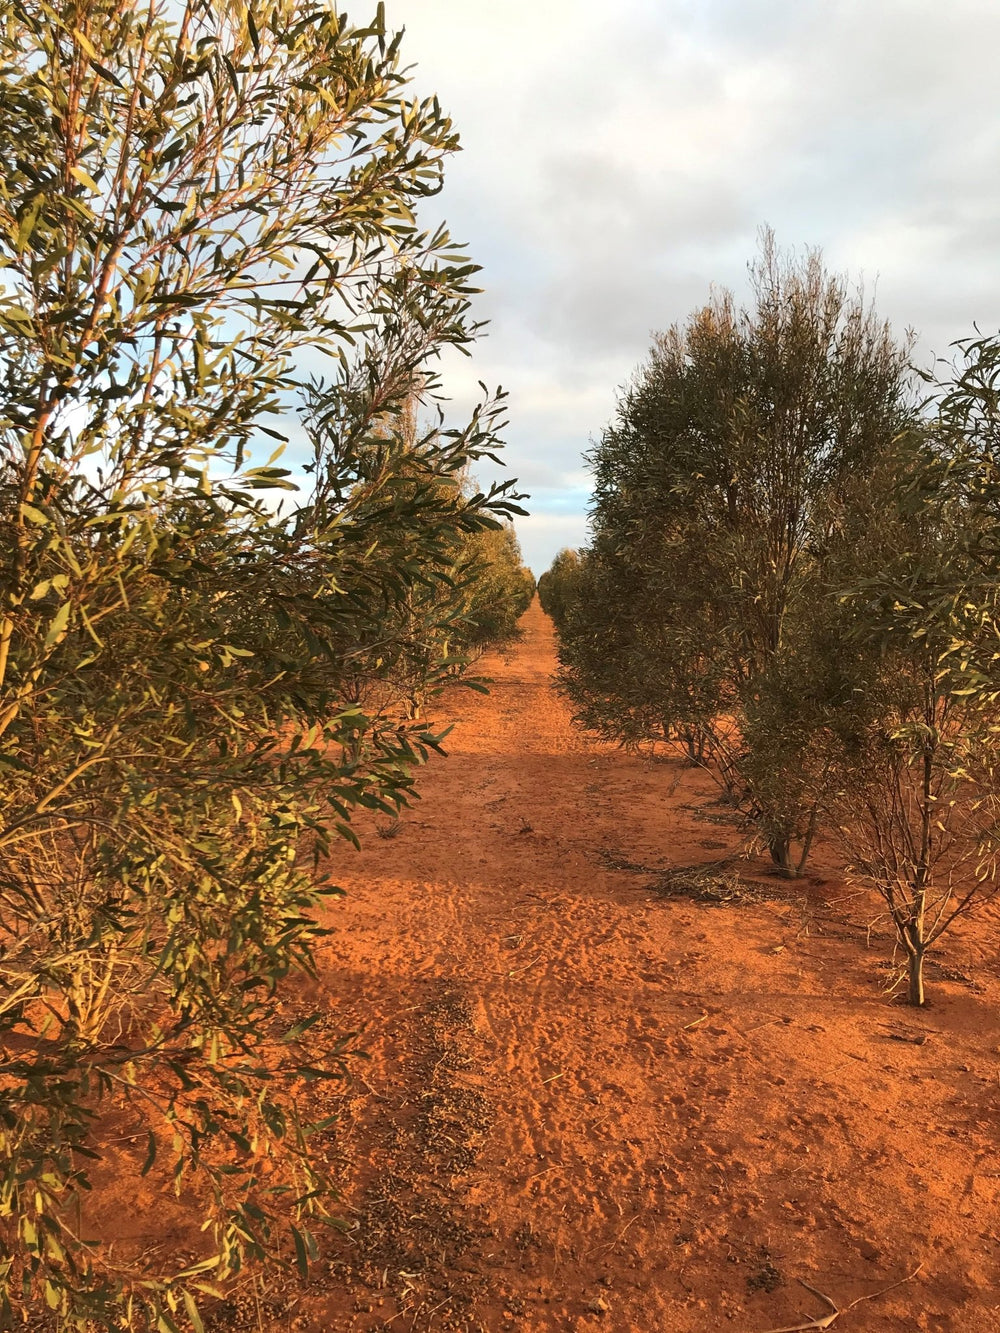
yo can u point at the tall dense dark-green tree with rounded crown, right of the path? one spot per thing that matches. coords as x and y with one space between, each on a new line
714 491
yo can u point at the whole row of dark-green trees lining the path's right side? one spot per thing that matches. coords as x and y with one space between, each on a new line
794 573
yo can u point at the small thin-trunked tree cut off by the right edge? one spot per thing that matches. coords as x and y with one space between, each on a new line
918 798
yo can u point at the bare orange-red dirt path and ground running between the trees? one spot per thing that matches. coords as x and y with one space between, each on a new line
597 1102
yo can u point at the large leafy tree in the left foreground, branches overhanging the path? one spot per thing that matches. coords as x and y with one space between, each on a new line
199 686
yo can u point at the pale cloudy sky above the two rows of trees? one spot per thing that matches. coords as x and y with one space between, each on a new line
621 158
